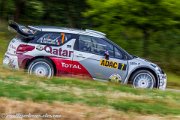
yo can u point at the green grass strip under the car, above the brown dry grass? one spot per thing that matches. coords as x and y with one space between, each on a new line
20 86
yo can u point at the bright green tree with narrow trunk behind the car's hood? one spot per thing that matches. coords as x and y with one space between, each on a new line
146 16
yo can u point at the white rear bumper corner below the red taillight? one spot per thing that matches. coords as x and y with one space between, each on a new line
10 61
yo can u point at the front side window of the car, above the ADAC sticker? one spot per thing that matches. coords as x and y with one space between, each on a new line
95 45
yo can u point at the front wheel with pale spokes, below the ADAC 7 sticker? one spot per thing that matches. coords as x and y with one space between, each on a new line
143 79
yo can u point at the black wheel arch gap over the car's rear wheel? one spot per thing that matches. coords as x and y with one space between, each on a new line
44 57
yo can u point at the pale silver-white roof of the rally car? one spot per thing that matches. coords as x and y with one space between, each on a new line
70 30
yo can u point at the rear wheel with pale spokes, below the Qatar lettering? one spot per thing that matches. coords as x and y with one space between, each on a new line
41 67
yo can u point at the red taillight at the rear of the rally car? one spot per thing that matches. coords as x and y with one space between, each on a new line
24 48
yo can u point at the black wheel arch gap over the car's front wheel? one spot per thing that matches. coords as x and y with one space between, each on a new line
144 68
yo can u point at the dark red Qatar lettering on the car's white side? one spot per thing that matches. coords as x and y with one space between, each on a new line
58 51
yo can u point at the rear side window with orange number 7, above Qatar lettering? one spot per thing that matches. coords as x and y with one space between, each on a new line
55 39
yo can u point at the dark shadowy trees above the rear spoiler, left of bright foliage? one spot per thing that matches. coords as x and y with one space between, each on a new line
61 12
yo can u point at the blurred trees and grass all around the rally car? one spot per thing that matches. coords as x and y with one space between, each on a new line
146 28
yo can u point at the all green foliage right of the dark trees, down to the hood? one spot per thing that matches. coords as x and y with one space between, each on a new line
150 25
